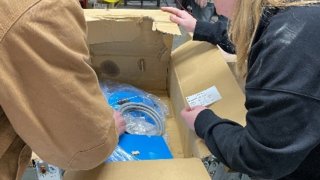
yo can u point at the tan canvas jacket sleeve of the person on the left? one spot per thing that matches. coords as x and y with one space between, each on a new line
50 93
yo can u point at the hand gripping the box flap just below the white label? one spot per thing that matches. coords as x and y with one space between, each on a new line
190 114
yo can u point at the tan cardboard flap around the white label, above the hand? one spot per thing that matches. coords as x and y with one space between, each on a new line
198 66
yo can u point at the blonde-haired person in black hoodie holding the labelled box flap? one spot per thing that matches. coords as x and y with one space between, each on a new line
277 44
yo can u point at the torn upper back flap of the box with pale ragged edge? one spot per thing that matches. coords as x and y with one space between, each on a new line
128 21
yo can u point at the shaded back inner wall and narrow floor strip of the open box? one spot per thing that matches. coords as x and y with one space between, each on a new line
140 57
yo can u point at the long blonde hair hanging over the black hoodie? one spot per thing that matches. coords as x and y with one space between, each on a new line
246 16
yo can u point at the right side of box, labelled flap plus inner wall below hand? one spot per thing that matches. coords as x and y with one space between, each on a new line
198 66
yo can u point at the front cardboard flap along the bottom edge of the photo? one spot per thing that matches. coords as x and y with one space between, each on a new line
177 169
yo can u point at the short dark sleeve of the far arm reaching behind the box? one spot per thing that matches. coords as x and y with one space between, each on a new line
215 33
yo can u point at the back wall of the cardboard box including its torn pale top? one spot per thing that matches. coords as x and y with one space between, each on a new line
131 46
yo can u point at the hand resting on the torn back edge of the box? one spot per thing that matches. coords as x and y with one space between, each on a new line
182 18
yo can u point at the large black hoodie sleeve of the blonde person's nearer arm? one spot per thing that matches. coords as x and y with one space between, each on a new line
282 99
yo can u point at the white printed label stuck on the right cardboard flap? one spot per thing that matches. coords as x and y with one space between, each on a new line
204 98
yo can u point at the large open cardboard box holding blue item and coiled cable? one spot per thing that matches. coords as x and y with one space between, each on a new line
134 46
